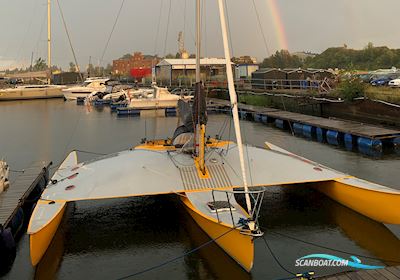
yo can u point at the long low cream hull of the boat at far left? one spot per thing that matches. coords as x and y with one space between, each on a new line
31 92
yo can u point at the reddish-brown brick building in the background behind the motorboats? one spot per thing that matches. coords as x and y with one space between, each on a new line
126 66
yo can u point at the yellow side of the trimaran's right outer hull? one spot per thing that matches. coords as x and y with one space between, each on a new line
377 205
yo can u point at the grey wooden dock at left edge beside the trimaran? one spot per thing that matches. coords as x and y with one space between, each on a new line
15 196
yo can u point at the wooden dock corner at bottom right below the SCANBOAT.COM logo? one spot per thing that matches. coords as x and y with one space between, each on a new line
387 273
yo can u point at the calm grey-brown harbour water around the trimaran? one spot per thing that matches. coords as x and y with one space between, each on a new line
114 238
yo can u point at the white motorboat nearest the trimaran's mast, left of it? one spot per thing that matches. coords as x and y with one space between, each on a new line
155 98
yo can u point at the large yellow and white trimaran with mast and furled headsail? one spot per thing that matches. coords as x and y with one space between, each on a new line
206 173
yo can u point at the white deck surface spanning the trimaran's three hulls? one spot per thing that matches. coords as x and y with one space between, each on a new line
142 172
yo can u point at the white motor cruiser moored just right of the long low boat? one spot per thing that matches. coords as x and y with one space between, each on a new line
86 88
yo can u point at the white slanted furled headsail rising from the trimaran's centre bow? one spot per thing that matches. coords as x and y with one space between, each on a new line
233 98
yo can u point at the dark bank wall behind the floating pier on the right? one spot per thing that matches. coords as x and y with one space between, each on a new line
366 109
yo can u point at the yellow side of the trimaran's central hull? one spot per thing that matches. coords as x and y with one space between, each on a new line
238 246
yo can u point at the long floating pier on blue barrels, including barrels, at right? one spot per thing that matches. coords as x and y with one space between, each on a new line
368 139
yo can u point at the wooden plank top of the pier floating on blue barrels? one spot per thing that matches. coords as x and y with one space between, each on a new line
342 126
